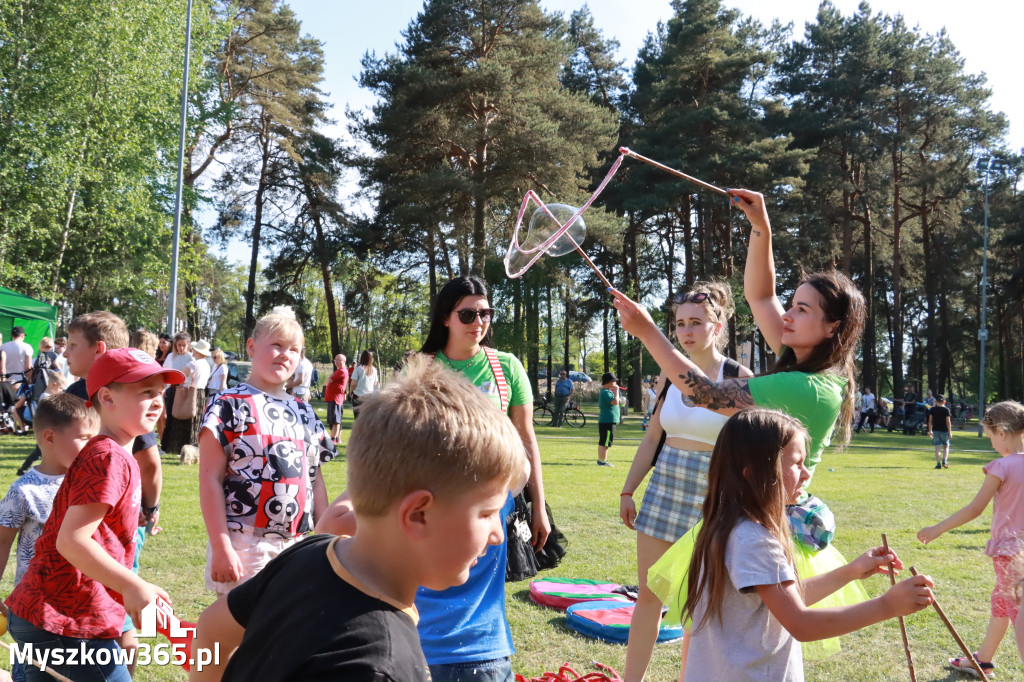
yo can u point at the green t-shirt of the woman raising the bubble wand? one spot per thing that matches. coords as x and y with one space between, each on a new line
816 400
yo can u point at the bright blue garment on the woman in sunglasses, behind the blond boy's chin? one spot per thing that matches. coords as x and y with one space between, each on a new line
466 623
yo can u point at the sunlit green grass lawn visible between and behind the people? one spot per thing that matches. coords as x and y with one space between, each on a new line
884 484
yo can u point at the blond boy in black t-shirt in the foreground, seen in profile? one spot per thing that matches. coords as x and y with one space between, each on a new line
431 465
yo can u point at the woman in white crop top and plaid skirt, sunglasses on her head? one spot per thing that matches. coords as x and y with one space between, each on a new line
687 435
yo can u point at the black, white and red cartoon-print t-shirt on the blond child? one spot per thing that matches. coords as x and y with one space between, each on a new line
274 448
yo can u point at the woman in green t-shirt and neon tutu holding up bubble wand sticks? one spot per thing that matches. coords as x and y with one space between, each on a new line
814 379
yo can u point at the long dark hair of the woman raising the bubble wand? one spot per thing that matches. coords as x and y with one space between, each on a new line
842 303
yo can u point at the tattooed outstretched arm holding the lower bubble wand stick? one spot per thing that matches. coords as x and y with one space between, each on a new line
728 397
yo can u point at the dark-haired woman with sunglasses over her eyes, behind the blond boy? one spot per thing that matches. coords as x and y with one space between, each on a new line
464 629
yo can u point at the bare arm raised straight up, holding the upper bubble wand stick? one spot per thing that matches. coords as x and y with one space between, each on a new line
759 274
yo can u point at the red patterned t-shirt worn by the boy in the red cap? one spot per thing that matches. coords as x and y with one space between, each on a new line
54 594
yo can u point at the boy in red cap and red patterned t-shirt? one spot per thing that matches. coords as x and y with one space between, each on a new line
79 585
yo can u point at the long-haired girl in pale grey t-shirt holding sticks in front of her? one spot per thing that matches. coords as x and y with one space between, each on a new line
749 613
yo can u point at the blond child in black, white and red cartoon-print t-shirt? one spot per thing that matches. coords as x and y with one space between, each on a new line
261 452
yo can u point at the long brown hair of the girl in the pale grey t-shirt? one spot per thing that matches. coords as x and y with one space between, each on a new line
745 482
